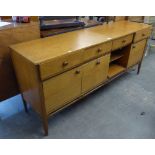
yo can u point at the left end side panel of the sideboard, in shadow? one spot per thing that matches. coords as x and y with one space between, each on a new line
28 80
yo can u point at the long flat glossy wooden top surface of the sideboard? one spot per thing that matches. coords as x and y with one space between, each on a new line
44 49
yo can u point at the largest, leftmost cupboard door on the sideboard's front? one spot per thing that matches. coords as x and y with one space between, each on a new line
62 89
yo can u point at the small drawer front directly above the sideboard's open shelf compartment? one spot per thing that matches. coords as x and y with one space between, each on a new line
121 42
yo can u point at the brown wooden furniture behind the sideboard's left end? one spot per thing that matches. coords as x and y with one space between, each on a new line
12 34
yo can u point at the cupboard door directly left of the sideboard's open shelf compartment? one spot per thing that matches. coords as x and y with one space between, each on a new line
95 72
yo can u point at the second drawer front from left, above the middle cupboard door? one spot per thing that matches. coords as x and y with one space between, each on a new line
97 50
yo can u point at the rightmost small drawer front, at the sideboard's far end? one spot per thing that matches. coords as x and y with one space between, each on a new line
142 34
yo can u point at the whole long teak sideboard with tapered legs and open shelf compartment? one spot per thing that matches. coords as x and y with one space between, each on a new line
55 72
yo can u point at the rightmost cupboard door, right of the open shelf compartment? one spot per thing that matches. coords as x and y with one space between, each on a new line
136 53
